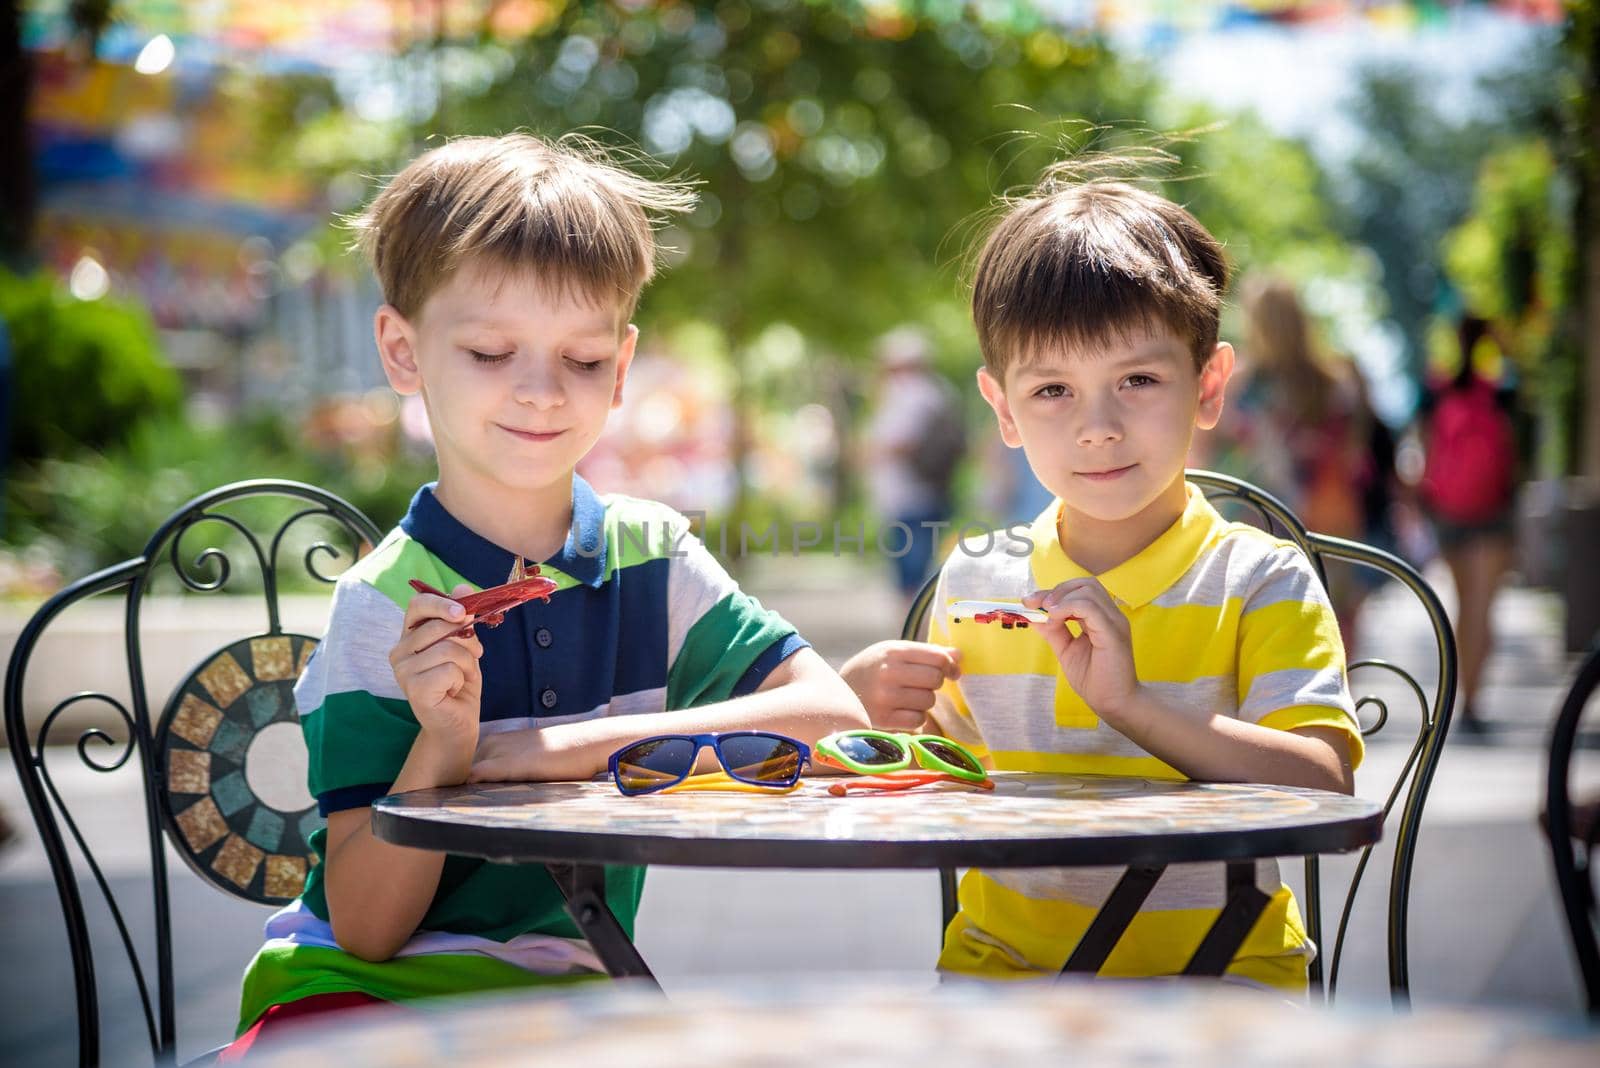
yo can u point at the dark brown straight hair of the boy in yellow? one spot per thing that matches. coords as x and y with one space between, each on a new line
1078 263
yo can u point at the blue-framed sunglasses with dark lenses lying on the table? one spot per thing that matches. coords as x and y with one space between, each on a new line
759 759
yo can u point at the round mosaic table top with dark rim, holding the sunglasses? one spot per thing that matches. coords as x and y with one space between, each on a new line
1030 819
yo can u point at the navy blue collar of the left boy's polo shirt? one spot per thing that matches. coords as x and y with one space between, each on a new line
484 564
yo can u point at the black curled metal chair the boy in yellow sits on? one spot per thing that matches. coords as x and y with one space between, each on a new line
1417 773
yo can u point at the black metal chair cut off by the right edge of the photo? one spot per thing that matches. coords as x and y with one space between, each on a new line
1574 831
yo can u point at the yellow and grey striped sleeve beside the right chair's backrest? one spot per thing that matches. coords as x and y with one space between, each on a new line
1290 653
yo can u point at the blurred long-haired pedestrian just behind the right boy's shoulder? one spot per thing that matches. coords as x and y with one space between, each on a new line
1303 429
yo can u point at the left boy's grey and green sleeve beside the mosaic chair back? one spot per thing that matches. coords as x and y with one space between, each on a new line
358 723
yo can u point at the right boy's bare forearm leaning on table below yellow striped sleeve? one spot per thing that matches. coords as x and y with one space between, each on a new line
1220 749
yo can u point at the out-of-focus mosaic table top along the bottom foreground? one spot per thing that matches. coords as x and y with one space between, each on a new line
774 1026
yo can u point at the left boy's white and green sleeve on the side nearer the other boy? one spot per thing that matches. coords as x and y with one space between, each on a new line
721 642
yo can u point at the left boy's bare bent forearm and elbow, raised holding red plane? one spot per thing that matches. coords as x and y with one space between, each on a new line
380 893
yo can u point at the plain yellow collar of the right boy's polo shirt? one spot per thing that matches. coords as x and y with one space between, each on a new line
1148 573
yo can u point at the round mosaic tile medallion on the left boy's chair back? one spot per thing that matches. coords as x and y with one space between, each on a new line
231 749
